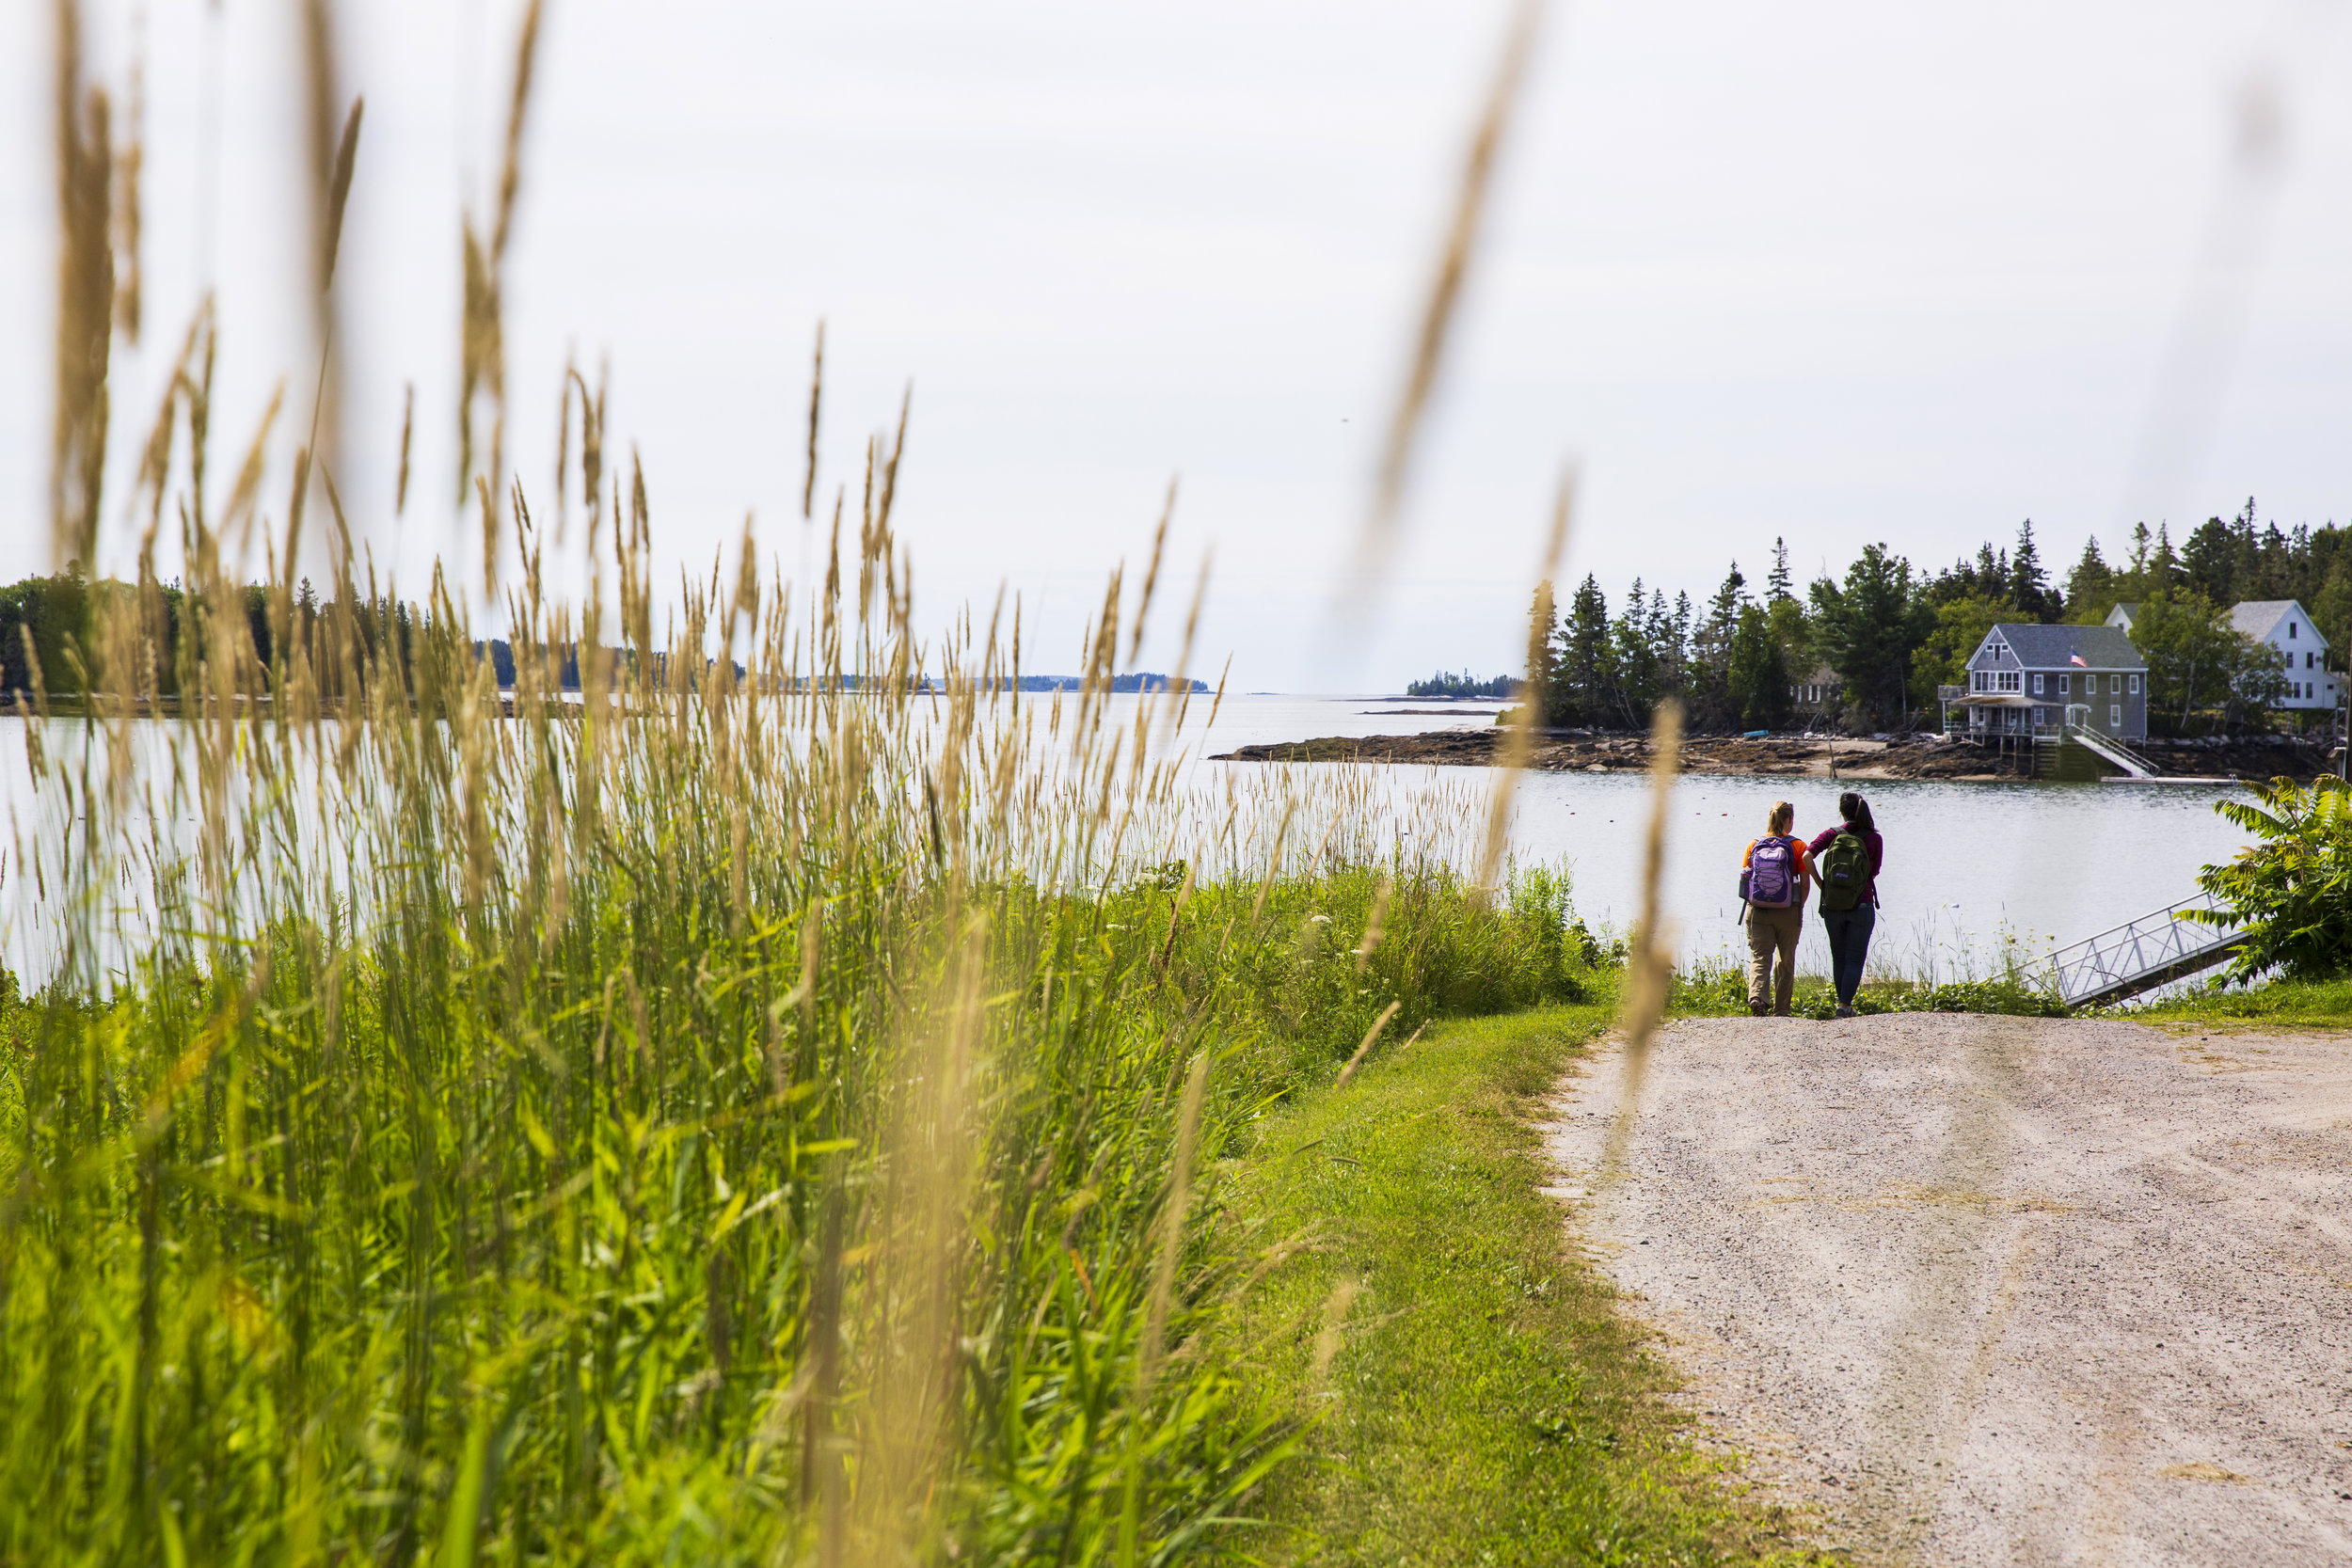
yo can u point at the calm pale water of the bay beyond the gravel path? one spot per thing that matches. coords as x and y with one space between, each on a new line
1965 864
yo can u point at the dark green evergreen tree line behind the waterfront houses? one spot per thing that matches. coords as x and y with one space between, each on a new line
1878 641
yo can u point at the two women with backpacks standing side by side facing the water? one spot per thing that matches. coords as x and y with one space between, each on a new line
1777 878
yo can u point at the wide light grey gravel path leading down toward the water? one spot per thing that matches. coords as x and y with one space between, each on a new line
1998 1289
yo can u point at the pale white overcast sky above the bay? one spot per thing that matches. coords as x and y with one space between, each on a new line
1829 272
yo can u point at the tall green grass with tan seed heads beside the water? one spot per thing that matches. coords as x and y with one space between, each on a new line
728 1113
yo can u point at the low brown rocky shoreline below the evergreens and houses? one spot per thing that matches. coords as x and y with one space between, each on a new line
1786 756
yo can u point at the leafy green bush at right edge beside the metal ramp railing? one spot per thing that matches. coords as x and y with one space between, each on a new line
2294 890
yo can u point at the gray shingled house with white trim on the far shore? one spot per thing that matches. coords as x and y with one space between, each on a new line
2031 678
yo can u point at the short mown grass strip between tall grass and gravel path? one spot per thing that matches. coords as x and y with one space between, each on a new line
1488 1400
